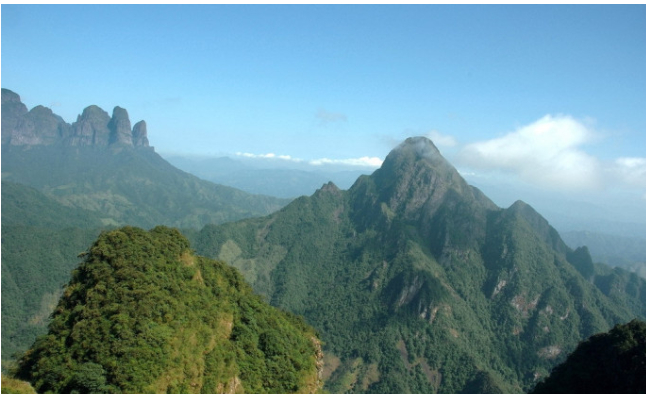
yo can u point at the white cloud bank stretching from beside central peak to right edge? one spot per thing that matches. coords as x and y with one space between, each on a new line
550 153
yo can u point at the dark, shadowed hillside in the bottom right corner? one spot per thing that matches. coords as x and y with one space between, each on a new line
612 362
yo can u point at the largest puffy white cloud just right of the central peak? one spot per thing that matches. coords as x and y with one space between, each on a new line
547 152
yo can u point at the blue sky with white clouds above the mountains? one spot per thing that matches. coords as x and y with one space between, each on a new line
552 96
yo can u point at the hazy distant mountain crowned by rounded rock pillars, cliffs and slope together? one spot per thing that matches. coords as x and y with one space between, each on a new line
100 164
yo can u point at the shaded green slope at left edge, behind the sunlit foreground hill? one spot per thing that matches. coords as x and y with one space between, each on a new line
40 241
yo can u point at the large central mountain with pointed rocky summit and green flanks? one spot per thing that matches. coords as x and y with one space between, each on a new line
418 283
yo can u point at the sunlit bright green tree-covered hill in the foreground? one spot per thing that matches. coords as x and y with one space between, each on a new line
142 313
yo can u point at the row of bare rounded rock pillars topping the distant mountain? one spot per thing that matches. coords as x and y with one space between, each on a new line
94 127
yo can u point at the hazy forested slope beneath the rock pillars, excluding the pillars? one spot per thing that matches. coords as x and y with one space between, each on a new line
129 186
